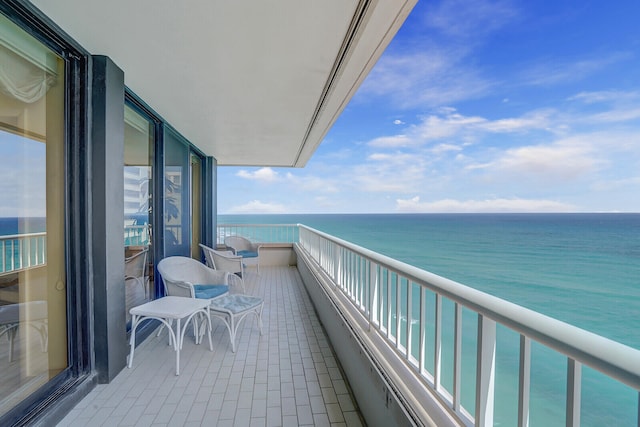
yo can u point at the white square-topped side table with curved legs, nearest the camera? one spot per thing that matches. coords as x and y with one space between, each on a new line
166 310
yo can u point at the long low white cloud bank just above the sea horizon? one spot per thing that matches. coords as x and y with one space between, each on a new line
496 205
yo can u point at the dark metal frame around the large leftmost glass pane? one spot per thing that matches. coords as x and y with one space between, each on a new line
52 399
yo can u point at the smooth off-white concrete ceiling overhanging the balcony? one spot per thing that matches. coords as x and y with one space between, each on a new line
248 82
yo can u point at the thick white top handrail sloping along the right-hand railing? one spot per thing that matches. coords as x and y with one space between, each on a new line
607 356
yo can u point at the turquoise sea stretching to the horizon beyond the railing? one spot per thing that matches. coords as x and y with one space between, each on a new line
583 269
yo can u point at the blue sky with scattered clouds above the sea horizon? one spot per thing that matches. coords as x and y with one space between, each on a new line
478 106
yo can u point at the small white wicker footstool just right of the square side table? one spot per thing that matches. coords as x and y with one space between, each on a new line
235 307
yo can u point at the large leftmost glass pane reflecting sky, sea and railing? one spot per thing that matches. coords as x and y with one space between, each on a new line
33 333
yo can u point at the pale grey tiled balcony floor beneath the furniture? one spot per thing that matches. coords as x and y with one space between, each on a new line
289 376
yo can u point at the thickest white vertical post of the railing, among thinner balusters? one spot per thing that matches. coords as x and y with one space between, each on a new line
485 372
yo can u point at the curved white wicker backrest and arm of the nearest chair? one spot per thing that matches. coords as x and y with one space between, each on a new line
179 274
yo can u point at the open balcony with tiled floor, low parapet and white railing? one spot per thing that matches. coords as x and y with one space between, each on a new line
414 348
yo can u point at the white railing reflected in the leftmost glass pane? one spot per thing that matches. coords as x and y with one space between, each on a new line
22 251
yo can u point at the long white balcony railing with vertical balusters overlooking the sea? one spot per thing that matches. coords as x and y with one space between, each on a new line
404 305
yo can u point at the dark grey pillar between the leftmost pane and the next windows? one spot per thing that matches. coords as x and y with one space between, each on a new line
107 187
